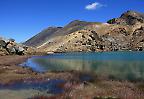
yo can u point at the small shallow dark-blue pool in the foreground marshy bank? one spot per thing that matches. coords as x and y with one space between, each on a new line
28 89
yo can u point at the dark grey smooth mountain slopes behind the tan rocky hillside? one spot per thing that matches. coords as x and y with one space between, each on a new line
52 32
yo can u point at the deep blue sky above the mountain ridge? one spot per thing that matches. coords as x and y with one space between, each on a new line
22 19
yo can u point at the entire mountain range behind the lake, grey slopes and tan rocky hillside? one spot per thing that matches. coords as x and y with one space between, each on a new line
123 33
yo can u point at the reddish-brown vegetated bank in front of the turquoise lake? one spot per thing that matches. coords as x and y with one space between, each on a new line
77 84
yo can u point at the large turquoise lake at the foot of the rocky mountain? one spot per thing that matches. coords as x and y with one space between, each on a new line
115 65
